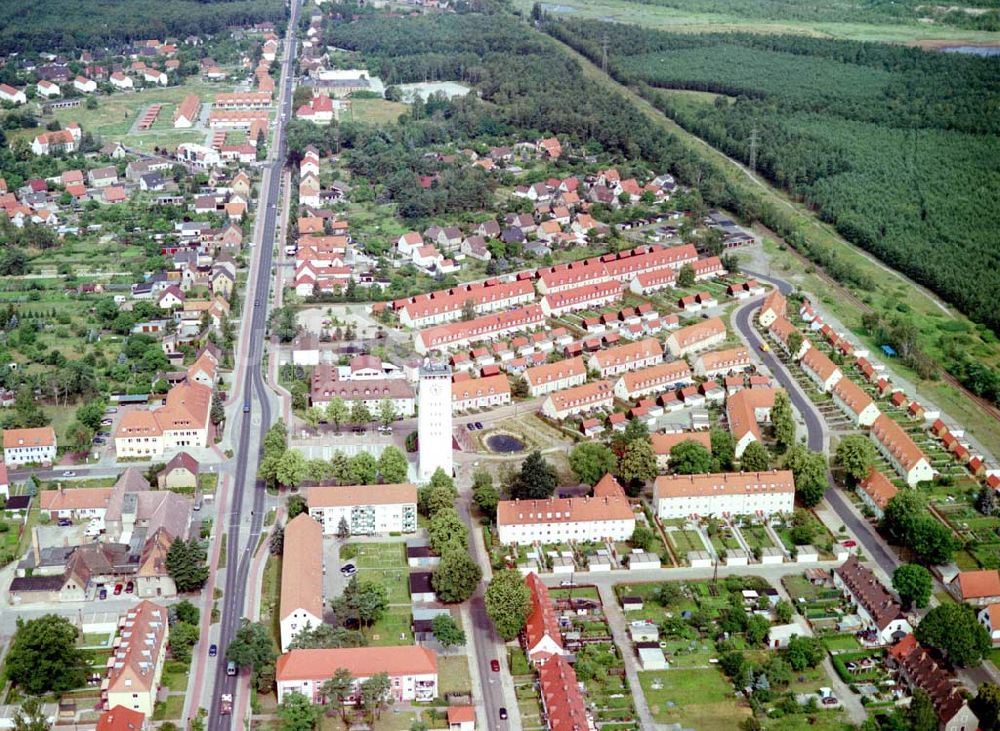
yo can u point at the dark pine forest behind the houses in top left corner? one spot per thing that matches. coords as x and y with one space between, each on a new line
67 25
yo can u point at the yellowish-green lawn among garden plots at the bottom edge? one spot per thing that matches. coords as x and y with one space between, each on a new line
697 698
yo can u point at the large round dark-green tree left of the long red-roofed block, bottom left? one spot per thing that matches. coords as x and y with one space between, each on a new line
43 656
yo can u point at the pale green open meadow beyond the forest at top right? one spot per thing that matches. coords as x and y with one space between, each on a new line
684 20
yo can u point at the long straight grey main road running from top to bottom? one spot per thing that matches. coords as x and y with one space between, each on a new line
255 407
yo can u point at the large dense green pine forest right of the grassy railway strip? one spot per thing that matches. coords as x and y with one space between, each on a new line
896 147
